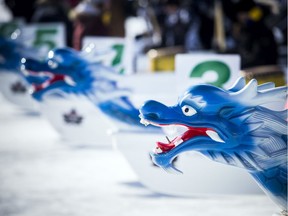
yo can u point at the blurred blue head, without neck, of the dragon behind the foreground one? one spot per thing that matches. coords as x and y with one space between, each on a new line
65 70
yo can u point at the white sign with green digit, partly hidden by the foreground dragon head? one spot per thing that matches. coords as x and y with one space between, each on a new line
217 69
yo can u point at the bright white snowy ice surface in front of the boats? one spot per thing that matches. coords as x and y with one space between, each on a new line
40 175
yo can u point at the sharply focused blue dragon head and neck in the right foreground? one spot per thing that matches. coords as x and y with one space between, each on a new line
237 127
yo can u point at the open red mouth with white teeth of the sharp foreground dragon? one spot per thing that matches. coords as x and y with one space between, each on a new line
190 133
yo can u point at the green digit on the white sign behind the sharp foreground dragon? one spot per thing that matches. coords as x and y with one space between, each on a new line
220 68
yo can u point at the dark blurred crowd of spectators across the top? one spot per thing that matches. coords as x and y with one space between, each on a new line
254 29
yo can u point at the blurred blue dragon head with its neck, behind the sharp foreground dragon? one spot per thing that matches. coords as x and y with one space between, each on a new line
69 72
